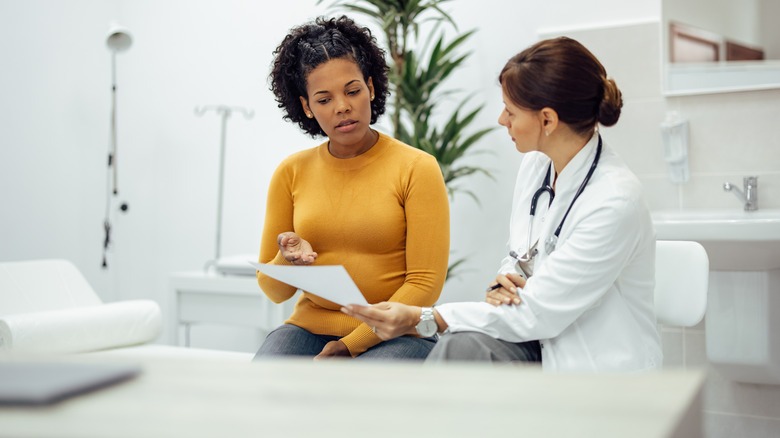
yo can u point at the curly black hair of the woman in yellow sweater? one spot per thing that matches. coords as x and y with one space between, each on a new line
312 44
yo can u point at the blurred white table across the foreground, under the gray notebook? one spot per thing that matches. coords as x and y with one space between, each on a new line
211 398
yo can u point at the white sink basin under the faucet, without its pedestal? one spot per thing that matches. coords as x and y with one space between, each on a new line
735 240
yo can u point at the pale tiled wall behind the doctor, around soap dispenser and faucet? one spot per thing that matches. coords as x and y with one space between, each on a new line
731 135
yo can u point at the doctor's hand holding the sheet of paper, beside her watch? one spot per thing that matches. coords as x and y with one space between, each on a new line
388 320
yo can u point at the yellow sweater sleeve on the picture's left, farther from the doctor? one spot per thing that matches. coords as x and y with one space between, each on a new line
278 219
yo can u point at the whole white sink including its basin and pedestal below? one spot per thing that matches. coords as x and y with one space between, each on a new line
742 330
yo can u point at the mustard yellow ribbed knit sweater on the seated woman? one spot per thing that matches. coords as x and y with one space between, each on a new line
384 215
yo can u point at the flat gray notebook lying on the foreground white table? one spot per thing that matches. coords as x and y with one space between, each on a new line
43 383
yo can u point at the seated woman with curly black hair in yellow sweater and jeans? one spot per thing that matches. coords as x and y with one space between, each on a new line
361 199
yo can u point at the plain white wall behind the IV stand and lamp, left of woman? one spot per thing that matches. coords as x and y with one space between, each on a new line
54 121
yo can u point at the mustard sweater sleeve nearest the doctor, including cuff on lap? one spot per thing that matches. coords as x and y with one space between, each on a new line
426 206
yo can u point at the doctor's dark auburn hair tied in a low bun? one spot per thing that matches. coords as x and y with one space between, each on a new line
560 73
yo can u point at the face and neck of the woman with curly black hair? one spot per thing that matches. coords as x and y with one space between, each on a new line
340 101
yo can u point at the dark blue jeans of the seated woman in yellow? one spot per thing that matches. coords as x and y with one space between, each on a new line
291 340
